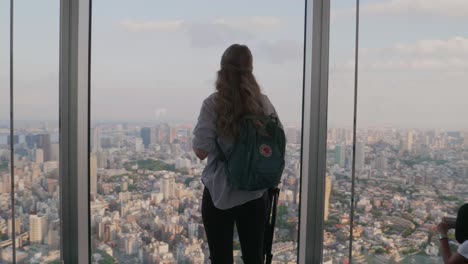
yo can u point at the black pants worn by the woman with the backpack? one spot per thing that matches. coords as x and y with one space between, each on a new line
250 219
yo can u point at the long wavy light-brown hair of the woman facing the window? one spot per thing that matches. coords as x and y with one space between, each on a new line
238 93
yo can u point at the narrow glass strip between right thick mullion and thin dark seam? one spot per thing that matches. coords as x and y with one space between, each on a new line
338 178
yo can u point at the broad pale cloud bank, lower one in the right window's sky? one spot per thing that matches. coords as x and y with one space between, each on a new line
447 56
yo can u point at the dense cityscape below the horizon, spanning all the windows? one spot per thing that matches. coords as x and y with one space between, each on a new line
146 195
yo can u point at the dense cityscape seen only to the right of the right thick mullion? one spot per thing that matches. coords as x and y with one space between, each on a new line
406 181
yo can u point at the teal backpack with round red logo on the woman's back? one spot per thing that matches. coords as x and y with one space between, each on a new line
257 160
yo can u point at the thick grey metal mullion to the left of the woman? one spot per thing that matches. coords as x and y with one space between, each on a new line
74 129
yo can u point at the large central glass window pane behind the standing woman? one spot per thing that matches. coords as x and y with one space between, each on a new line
153 63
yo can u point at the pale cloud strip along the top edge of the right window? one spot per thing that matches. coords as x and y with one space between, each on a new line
447 8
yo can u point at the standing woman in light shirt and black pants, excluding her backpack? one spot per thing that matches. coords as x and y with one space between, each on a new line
237 95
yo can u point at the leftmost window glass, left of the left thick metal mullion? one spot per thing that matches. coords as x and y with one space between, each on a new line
35 137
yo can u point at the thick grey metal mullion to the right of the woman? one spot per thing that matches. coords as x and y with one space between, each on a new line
315 103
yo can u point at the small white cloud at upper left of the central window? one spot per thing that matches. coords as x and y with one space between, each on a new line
169 25
